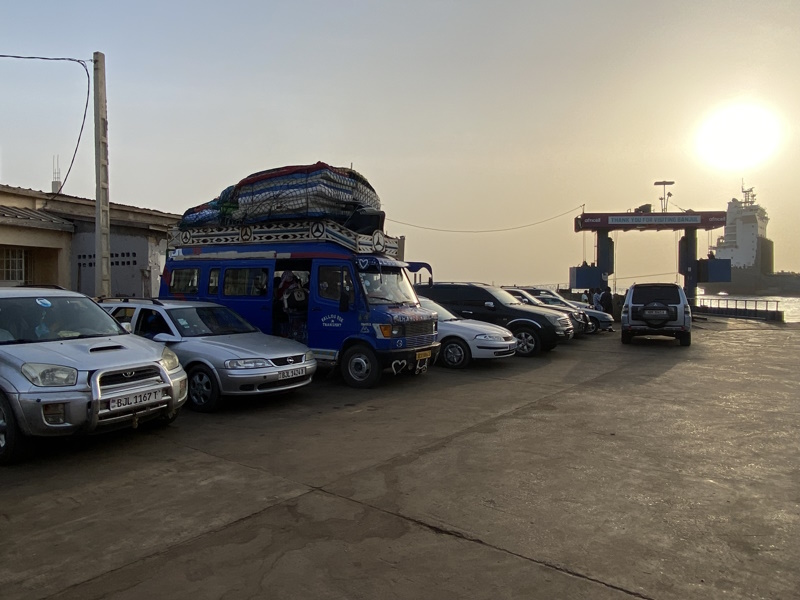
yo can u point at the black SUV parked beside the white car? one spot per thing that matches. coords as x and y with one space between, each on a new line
535 328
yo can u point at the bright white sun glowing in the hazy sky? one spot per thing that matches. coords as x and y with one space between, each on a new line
738 136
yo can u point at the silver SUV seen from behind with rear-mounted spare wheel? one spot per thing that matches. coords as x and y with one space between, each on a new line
657 309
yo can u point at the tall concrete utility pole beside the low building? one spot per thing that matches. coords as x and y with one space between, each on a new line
102 224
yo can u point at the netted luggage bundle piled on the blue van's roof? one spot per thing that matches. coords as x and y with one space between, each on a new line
317 191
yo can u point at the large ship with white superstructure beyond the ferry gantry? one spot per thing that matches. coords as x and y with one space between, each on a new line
751 253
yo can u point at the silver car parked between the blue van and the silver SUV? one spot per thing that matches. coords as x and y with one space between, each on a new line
222 353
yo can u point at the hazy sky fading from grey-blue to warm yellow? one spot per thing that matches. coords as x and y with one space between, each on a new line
467 115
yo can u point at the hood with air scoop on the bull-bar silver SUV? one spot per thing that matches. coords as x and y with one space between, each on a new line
87 354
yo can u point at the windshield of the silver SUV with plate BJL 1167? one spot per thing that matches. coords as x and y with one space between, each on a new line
47 318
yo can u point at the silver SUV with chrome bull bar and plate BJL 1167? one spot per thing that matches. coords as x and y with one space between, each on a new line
67 367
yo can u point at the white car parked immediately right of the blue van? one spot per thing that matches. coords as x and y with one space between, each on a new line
464 340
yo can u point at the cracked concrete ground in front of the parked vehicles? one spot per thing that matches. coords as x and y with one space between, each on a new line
597 471
